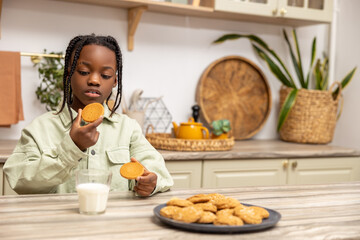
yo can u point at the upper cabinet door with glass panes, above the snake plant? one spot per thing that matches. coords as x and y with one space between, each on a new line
317 10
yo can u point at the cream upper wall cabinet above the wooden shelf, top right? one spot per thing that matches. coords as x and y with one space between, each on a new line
314 10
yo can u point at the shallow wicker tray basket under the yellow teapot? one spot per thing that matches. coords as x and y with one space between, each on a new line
166 142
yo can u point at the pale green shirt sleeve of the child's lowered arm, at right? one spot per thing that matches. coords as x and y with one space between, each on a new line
150 158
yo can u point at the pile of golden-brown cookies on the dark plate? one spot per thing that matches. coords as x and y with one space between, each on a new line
214 209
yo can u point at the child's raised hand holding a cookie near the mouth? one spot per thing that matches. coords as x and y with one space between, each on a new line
84 136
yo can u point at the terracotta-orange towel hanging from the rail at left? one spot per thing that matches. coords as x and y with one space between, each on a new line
11 109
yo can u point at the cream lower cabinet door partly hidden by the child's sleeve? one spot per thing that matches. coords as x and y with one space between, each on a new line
186 174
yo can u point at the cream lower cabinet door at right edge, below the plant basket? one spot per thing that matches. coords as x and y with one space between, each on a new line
324 170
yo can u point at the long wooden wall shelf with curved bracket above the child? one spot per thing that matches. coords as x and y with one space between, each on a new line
135 9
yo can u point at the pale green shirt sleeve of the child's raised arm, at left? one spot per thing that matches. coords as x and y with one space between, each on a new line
31 169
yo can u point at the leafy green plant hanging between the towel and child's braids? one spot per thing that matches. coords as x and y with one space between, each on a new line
50 90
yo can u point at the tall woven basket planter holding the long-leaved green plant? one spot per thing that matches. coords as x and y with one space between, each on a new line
313 116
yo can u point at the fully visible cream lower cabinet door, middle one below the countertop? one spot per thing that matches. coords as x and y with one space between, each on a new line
236 173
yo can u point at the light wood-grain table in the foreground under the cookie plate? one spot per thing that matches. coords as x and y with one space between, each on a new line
308 212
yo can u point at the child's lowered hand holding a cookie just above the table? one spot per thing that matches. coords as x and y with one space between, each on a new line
146 183
